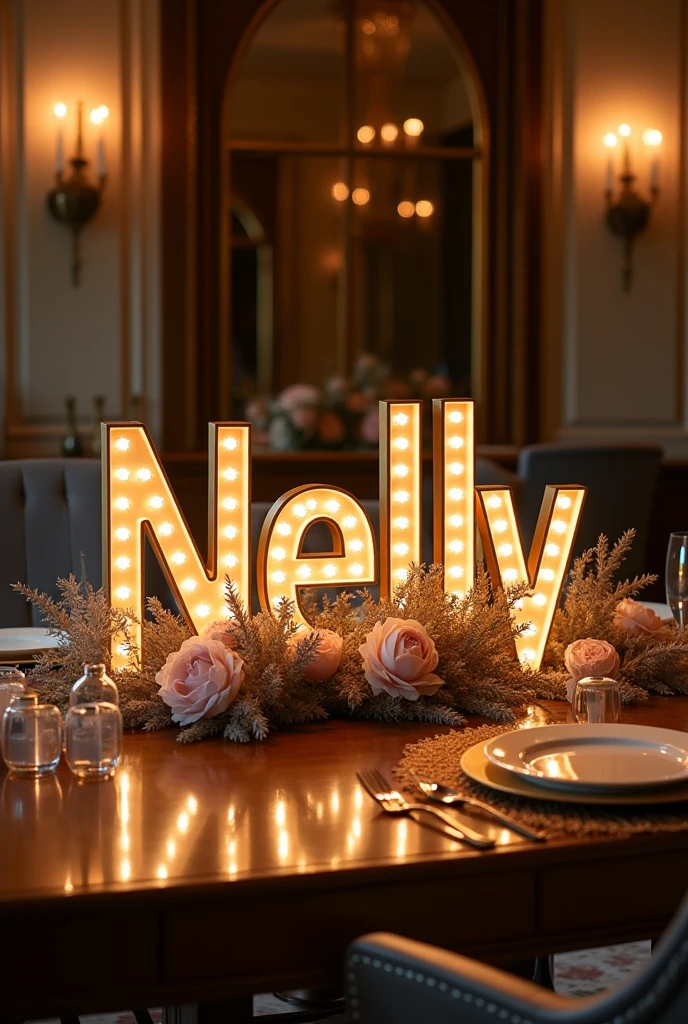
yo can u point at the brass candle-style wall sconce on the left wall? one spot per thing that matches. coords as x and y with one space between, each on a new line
74 201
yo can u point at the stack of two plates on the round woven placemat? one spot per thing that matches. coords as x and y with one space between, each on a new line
590 764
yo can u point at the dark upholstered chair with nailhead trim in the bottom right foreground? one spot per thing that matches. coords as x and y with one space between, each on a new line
391 980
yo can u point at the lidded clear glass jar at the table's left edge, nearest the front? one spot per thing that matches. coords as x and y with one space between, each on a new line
32 736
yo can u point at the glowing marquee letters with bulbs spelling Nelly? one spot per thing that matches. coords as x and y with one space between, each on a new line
139 501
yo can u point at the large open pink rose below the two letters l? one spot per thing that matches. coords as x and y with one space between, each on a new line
399 658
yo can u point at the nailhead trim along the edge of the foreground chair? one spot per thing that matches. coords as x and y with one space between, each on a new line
503 1013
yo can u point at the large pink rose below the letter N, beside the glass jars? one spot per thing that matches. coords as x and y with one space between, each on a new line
201 680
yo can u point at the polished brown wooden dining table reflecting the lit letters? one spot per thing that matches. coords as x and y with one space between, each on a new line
212 872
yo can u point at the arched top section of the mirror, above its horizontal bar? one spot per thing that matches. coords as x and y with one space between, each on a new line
369 75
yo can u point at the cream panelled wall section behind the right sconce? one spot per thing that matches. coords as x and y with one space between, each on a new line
614 363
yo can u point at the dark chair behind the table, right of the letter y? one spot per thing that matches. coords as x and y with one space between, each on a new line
622 482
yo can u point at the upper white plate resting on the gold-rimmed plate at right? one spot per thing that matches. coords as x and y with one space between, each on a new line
593 758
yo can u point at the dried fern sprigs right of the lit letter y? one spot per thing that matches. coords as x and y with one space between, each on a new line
648 665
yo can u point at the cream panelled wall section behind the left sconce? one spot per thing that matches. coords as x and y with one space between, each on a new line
102 337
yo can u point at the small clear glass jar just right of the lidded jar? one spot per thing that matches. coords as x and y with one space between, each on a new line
94 740
